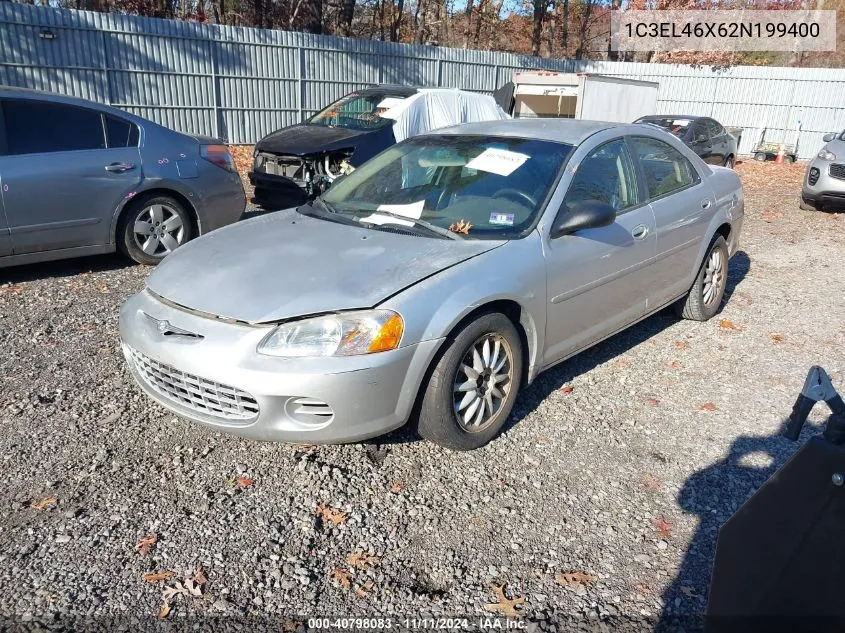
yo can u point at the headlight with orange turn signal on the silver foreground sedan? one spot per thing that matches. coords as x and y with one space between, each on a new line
347 334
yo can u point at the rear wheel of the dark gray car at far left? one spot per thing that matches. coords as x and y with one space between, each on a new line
152 228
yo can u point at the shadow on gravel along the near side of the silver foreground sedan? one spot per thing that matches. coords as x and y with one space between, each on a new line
553 379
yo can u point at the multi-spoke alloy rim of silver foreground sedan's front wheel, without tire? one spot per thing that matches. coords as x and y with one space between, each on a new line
482 382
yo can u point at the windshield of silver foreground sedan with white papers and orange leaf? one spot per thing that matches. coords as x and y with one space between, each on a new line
479 187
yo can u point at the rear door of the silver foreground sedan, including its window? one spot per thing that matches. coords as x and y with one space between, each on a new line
681 202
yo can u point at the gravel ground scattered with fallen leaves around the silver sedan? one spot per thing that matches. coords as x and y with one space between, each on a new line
618 467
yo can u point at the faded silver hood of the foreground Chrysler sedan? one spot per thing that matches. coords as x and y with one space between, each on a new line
284 265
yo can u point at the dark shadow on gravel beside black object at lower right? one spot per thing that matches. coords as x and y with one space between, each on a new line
714 494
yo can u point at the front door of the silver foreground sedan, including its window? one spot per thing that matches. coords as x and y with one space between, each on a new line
598 279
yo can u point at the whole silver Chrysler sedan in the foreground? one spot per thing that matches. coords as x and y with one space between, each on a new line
433 282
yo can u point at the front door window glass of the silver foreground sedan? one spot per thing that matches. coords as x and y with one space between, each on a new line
607 175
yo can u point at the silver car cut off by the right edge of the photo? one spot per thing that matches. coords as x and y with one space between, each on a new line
824 180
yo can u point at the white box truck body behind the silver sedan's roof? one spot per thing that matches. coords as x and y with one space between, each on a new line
577 95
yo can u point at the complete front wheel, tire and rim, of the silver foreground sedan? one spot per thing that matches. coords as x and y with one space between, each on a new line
473 385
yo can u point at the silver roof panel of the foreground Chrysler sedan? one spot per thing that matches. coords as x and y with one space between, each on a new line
570 131
